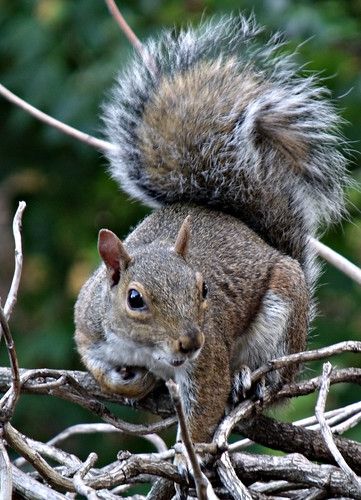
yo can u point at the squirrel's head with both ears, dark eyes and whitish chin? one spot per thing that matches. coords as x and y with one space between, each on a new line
156 299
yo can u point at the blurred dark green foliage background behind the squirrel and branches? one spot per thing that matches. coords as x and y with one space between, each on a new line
62 56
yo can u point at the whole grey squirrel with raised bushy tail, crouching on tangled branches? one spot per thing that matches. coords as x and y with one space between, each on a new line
238 154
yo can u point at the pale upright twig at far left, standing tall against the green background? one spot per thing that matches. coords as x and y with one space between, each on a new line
12 296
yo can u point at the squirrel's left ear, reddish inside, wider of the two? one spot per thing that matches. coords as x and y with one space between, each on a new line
113 253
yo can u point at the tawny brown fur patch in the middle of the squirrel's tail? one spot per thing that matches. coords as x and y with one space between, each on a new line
191 110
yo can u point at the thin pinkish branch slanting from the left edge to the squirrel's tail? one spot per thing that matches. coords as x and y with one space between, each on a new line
49 120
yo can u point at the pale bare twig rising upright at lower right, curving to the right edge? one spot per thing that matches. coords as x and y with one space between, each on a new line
326 431
